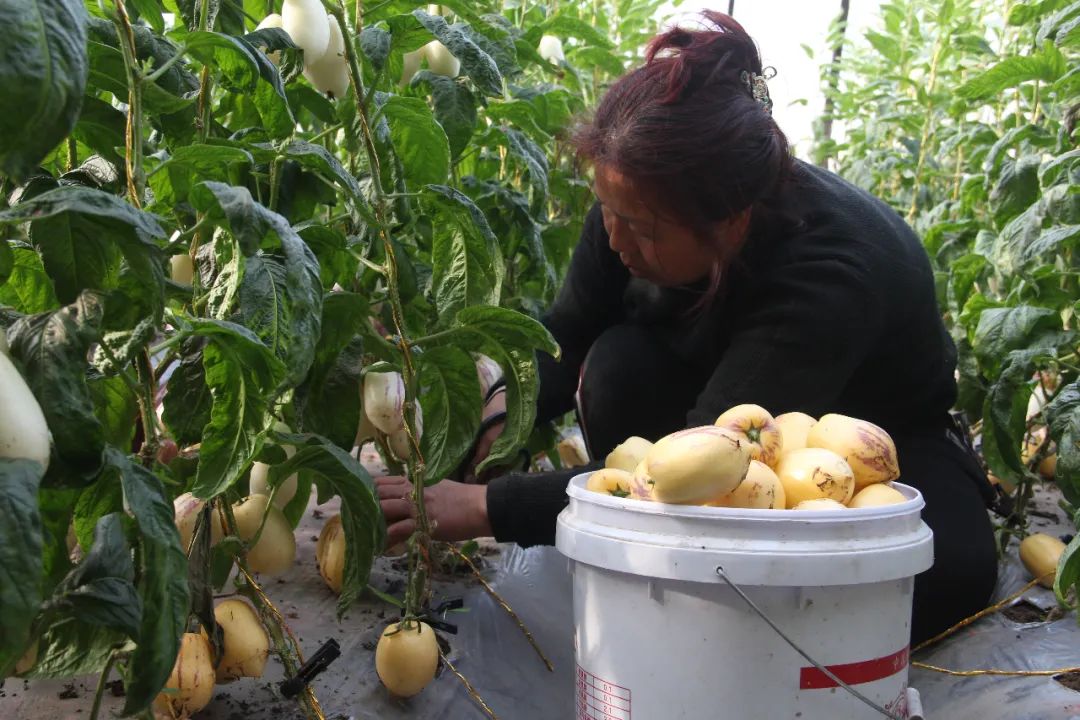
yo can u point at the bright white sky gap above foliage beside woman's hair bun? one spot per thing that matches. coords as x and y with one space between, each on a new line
782 29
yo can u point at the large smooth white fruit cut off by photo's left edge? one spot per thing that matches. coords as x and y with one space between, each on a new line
24 433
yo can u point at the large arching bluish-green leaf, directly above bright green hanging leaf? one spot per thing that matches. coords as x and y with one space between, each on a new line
280 295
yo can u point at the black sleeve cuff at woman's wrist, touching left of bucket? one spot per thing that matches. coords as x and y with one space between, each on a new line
523 508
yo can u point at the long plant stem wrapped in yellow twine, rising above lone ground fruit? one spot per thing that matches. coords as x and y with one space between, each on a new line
417 588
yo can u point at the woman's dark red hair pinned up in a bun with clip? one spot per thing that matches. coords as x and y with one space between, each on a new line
686 130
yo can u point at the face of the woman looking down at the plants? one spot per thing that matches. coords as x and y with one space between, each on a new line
652 248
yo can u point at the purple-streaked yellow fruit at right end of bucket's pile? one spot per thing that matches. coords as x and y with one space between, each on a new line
869 450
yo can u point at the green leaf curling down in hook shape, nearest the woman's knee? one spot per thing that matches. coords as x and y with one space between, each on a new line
510 339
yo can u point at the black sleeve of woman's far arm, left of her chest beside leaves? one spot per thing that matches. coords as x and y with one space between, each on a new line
589 302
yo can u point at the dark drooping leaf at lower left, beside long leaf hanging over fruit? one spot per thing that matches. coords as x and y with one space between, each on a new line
101 590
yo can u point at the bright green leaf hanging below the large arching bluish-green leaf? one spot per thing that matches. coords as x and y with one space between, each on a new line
242 375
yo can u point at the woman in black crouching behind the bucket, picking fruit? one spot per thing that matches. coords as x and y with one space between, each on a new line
714 270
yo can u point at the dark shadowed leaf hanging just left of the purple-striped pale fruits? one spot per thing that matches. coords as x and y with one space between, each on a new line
329 399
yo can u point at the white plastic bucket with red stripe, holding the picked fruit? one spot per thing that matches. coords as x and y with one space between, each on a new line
659 635
